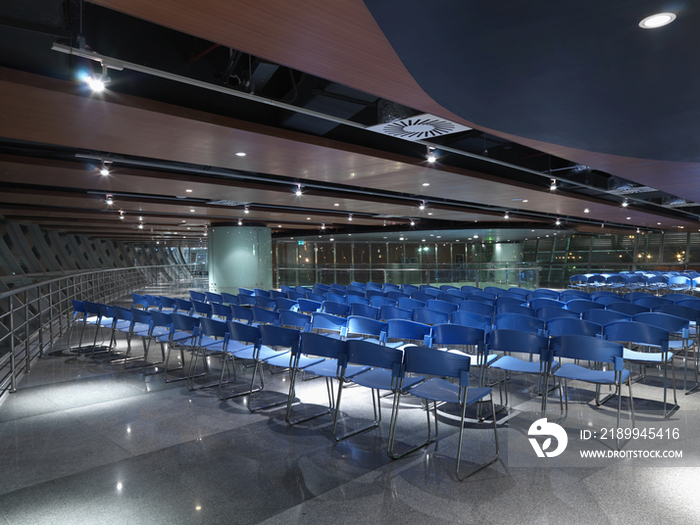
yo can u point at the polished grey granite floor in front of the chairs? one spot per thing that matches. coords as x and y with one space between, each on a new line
86 441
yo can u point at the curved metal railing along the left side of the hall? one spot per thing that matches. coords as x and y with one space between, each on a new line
34 314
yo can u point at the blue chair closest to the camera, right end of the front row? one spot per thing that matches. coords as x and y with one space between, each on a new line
428 361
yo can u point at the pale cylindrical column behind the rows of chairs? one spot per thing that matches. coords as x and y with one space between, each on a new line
239 256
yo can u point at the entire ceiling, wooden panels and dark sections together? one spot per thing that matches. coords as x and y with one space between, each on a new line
578 93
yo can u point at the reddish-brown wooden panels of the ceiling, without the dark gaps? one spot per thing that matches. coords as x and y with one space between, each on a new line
340 42
